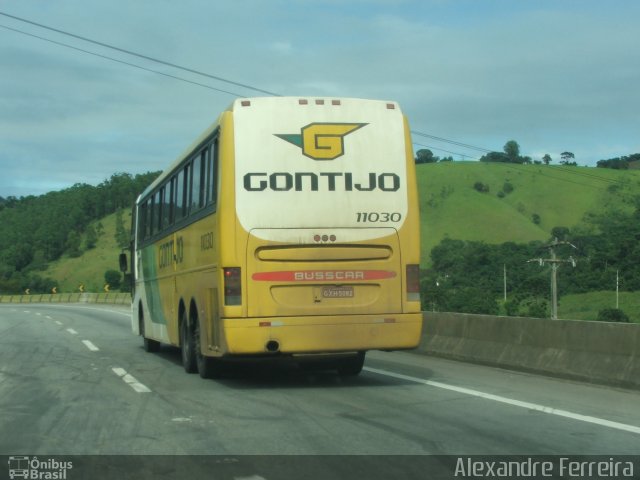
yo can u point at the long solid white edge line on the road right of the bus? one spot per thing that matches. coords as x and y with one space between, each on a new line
510 401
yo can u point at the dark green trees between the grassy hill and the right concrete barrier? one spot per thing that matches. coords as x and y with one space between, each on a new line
468 276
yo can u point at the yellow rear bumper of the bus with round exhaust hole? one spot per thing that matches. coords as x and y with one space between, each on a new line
322 334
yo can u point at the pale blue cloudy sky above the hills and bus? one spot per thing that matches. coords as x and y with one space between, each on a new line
553 75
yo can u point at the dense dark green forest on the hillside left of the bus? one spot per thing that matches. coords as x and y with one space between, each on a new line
39 229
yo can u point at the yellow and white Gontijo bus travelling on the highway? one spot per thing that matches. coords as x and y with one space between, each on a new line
289 228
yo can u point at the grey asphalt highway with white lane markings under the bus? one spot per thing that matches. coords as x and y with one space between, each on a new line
74 380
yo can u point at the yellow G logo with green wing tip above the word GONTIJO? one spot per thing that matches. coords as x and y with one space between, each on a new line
321 141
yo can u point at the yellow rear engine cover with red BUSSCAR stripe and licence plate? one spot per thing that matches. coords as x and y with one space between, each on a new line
299 278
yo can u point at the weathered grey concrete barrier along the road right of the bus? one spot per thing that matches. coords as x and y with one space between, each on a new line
597 352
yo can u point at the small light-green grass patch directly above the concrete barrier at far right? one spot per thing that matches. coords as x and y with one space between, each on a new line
585 306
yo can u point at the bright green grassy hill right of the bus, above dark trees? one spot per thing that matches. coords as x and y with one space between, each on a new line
559 196
